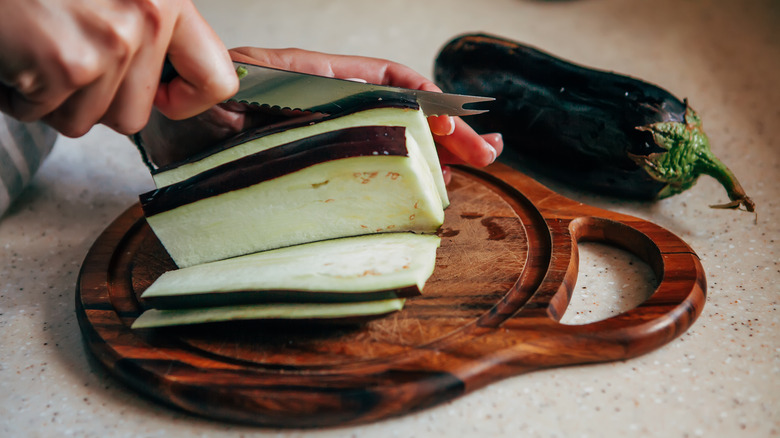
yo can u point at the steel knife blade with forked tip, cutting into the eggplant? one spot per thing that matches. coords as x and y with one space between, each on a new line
275 88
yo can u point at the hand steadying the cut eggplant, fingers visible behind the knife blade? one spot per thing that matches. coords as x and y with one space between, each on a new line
458 141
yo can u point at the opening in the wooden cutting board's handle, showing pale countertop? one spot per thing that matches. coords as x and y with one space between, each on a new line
610 281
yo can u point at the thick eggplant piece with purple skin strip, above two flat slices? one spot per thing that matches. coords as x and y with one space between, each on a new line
349 182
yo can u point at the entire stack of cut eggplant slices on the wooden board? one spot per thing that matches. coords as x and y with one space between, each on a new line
330 220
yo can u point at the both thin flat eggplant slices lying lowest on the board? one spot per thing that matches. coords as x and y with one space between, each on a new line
353 278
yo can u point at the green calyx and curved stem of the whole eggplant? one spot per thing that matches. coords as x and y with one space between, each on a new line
688 155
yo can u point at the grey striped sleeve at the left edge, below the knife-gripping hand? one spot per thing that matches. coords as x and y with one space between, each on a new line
23 146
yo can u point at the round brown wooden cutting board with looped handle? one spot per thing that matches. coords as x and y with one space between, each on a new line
504 276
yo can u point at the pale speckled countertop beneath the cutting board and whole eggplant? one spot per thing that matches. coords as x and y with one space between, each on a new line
720 379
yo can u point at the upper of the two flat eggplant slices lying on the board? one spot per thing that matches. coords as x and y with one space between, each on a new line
372 267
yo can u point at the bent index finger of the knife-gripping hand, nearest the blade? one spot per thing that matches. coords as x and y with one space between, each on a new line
206 73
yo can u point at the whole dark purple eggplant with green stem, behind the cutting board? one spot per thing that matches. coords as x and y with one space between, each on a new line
598 130
